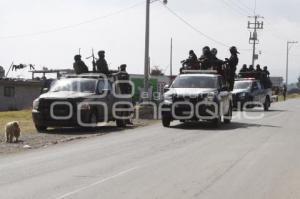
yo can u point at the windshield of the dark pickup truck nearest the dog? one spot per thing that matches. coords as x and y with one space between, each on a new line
75 85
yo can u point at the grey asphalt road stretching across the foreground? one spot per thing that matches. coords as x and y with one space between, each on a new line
250 158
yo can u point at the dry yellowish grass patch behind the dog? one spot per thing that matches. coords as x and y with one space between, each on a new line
24 117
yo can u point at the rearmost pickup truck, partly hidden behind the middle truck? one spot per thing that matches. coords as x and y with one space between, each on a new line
250 93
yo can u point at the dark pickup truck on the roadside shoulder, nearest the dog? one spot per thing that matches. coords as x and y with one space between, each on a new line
75 101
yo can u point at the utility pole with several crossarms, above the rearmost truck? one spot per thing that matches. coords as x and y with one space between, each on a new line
257 25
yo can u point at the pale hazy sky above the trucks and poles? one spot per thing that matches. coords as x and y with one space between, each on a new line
122 35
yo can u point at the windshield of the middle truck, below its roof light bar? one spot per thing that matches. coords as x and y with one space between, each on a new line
195 82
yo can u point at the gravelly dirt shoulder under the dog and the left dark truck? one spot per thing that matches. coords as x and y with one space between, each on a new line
30 139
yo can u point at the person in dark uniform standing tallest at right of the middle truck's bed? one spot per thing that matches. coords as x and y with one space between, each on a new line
232 62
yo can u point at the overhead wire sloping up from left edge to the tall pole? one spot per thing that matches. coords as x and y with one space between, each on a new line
74 25
